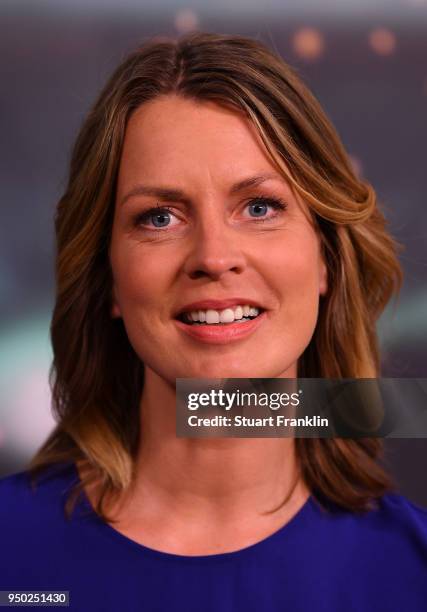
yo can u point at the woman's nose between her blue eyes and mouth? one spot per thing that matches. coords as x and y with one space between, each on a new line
215 251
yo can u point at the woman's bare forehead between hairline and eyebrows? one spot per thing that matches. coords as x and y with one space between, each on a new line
178 139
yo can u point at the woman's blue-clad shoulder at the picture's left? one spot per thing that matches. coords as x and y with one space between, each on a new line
40 543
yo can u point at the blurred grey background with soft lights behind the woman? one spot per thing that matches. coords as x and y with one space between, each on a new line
365 62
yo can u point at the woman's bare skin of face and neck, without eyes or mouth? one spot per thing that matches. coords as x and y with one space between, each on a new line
212 249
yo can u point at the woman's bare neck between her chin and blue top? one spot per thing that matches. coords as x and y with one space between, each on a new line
223 476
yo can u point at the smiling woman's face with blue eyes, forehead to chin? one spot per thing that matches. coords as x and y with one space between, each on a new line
205 224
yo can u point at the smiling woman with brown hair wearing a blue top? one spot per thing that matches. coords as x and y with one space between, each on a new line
212 226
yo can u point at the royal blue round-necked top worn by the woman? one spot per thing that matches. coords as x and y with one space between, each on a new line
320 561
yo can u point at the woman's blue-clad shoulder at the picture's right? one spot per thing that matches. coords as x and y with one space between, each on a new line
379 556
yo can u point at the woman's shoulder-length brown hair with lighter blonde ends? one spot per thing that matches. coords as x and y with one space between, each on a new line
96 377
